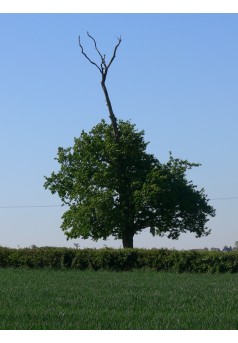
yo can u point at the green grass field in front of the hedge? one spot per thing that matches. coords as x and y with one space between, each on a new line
70 299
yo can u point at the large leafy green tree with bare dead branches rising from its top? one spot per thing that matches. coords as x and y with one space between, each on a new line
113 187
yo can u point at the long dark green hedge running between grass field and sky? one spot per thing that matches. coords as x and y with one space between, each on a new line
120 259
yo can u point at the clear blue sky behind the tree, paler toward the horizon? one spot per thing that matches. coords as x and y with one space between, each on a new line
175 76
